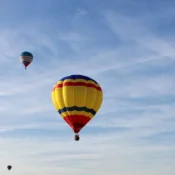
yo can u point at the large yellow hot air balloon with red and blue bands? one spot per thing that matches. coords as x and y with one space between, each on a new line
77 98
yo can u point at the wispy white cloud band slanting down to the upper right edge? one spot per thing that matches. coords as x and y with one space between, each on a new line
138 32
